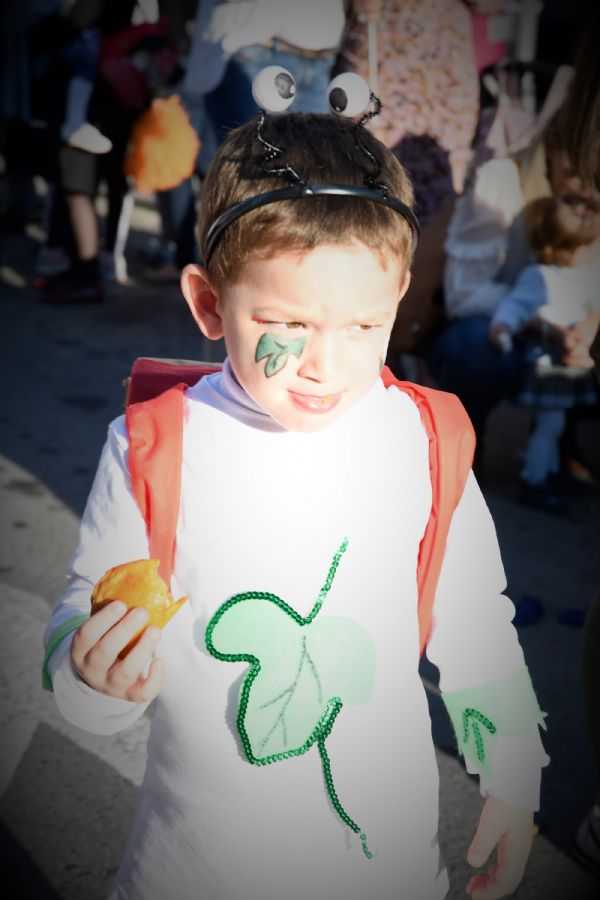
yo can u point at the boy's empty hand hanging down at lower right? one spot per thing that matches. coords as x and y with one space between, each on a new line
509 829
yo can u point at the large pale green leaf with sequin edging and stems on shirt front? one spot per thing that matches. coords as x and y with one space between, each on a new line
296 686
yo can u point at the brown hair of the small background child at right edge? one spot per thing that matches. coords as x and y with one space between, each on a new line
551 240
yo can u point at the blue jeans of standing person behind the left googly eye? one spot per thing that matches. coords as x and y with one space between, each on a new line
231 103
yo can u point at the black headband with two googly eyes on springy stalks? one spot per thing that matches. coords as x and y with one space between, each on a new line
348 94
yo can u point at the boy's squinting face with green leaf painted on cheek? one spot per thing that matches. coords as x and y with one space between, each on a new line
307 334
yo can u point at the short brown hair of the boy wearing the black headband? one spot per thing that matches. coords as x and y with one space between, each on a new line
320 148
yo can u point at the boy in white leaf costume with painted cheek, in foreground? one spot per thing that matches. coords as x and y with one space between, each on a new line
305 494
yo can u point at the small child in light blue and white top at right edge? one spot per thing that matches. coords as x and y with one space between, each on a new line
561 290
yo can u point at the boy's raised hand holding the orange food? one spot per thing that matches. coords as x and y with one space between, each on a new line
95 654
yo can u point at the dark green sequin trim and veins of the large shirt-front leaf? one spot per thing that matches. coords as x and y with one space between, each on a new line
333 705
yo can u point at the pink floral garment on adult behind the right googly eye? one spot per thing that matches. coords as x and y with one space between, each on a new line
429 89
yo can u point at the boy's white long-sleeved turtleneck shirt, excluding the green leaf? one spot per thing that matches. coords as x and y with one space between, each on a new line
264 509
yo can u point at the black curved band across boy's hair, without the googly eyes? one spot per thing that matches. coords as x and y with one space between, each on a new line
296 191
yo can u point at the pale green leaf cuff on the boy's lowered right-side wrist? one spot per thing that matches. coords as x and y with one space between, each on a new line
481 714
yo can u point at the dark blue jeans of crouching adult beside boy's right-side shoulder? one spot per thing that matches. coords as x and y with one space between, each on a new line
463 361
